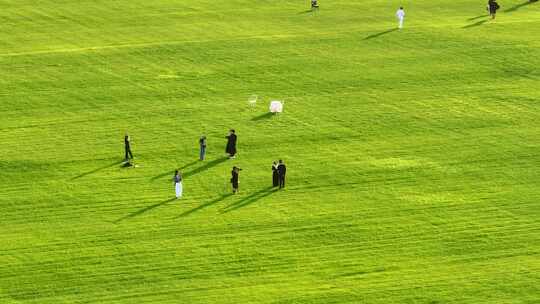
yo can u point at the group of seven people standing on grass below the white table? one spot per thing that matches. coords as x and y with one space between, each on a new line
278 168
